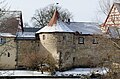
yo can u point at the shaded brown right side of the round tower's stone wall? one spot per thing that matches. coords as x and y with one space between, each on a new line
65 49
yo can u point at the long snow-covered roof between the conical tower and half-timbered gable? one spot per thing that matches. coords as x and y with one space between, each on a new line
85 27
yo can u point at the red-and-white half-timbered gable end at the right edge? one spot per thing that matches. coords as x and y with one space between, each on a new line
110 27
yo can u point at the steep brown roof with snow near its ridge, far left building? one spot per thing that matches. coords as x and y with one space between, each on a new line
11 22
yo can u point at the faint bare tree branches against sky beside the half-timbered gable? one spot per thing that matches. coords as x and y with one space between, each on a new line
103 9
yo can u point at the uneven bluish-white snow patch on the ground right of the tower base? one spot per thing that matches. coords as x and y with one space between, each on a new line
82 71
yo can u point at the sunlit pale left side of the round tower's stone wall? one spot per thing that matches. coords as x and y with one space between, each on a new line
48 45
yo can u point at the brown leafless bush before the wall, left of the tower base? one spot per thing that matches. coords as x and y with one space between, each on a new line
38 61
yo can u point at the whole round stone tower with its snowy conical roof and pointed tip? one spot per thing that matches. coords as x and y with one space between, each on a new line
57 39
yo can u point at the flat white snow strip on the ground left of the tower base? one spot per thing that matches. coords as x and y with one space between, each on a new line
22 73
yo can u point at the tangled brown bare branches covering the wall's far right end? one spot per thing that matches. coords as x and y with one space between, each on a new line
109 60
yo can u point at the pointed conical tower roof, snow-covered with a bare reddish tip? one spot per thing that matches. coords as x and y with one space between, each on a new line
55 25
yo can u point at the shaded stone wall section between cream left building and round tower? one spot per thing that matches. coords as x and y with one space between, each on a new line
24 47
